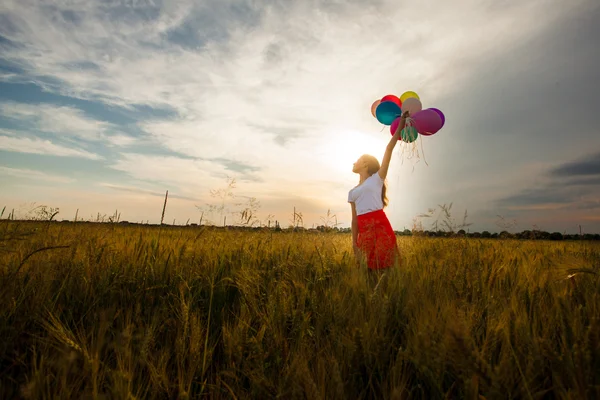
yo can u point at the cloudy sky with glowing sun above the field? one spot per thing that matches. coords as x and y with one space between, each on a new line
105 105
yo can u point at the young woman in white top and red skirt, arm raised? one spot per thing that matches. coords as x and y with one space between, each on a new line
372 235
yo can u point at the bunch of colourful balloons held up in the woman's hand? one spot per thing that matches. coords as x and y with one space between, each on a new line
424 122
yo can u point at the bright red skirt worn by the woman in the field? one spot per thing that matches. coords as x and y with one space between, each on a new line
377 240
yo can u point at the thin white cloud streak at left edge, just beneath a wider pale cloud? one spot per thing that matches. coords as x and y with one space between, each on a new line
40 146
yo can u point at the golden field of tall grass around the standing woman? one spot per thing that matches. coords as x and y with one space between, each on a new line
124 312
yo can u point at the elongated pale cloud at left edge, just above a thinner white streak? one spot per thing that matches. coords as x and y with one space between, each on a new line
63 121
